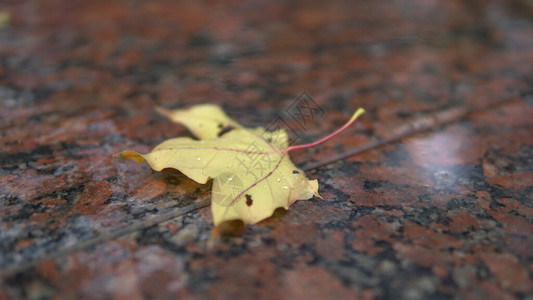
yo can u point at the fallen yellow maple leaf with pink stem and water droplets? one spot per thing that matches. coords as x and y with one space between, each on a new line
250 167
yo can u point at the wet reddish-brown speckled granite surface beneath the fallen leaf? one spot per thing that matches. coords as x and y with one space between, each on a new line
443 214
